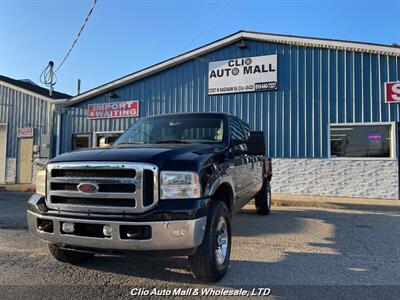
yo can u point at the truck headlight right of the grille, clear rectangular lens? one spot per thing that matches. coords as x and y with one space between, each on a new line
179 185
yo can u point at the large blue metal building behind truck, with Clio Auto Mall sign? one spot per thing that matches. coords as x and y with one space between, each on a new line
323 105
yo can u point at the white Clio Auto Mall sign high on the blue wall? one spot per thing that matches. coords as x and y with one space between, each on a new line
248 74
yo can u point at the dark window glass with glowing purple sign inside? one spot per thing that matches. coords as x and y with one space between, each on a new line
361 141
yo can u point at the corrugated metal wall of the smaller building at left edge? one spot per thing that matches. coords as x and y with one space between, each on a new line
19 110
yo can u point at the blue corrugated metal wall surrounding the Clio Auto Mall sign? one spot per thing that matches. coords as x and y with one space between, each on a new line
315 87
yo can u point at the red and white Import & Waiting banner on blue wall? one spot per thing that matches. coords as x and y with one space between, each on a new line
113 110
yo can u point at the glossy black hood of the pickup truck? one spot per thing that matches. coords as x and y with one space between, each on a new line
171 156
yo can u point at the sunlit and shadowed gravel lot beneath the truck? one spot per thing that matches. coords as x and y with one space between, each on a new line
297 252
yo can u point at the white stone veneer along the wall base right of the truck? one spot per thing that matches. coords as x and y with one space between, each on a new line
335 177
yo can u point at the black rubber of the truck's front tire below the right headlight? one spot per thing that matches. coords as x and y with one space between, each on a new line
203 264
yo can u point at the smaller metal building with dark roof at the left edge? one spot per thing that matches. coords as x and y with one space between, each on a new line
25 139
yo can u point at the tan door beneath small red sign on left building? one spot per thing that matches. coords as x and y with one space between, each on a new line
25 160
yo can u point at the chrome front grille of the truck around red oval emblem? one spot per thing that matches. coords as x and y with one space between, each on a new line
119 187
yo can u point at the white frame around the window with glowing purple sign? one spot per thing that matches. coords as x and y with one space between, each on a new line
393 143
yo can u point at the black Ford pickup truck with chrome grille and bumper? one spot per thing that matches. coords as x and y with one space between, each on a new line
170 185
